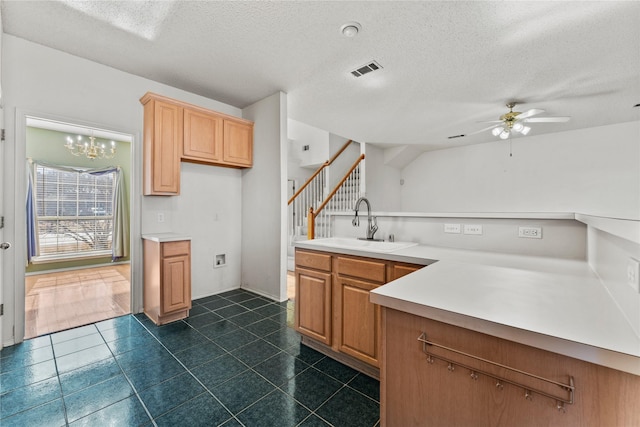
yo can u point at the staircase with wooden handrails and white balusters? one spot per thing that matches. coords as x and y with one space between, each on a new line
316 197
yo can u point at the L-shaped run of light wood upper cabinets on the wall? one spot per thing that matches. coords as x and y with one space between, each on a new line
176 131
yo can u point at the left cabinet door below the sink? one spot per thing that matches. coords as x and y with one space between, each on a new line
313 304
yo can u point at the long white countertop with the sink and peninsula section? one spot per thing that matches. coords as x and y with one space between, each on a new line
555 304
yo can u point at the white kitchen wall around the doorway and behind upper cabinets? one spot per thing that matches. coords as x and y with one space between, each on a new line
40 80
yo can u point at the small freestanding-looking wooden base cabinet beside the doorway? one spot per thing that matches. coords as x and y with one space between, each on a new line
167 280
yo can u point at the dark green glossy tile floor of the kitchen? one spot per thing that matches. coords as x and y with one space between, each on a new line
233 362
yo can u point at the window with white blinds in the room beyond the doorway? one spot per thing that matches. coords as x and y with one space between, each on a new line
74 212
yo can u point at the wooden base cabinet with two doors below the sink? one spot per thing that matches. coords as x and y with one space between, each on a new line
333 307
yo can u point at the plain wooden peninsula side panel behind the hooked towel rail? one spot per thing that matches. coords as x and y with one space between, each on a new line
418 391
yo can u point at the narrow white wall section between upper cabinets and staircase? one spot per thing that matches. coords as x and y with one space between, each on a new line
264 197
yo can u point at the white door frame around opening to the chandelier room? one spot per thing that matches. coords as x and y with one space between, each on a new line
19 245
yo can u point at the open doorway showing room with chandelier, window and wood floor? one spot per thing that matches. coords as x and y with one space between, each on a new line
78 234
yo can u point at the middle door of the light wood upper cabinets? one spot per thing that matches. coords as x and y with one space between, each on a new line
202 136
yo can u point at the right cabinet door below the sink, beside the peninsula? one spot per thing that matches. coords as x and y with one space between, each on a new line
357 320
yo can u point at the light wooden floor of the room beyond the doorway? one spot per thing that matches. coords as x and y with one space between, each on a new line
63 300
